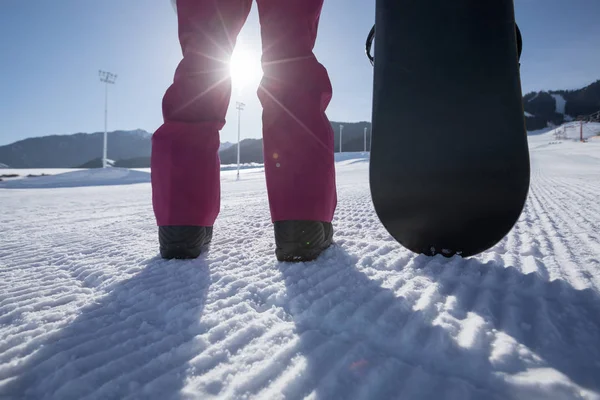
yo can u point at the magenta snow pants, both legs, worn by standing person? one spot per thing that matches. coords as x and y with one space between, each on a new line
294 93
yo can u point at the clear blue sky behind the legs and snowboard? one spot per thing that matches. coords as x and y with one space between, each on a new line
52 51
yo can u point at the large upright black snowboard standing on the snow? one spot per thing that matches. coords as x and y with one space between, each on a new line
449 168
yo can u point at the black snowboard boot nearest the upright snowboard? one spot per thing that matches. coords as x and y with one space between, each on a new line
301 240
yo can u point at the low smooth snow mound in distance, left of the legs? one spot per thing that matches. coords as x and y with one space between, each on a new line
89 177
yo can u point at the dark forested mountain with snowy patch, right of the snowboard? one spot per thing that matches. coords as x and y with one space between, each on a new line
543 109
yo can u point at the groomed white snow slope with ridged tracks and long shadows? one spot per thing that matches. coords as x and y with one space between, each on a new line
88 310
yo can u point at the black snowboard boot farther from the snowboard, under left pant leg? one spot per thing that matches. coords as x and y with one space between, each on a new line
183 241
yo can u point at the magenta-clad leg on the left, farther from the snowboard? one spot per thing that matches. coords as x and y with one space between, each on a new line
185 162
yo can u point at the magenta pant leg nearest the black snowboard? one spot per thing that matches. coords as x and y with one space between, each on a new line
294 93
